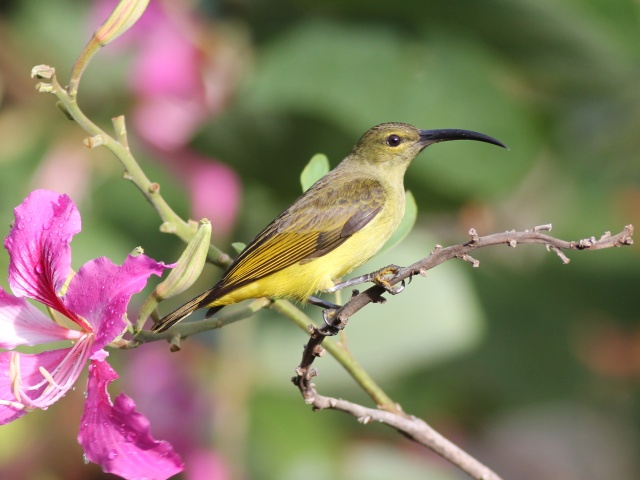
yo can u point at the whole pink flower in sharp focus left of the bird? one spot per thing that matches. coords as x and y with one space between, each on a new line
113 435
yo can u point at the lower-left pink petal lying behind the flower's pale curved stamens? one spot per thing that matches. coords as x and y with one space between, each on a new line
35 390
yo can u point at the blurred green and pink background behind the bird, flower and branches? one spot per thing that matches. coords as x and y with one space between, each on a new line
531 365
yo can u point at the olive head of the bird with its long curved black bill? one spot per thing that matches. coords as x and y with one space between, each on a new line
399 143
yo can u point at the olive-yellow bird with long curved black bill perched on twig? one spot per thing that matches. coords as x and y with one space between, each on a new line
334 227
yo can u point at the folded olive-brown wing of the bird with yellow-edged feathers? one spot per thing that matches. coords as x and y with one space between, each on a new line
312 227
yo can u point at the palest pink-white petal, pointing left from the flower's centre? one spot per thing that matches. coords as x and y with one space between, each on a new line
23 324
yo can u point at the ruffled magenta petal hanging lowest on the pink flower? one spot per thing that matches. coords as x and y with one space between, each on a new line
117 437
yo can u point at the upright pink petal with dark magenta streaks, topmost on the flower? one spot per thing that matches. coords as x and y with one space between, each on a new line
38 245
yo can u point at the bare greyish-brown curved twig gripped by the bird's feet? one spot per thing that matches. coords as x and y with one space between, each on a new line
388 412
